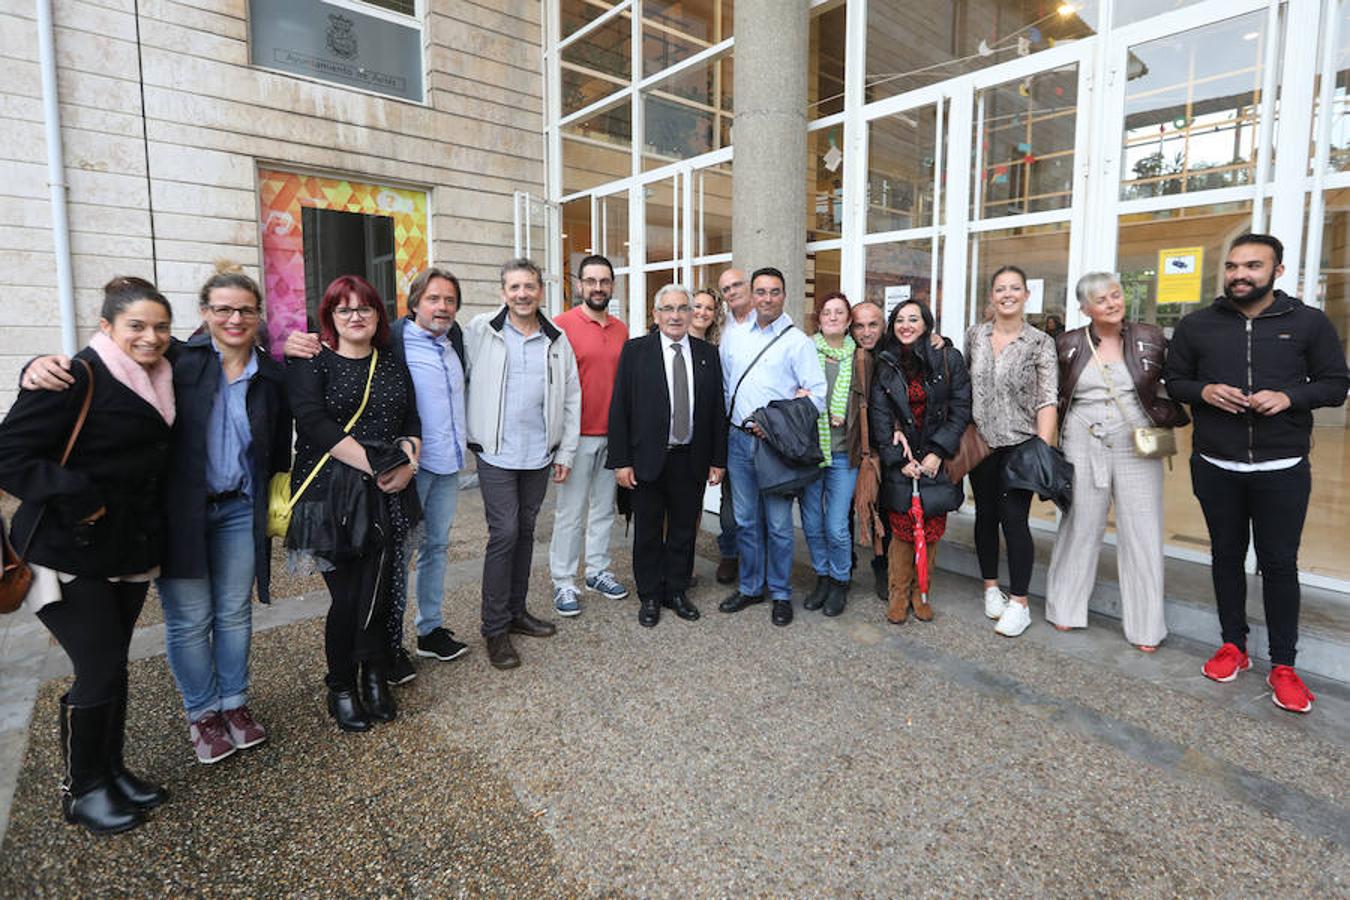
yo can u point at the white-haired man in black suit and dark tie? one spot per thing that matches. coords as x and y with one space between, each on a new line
668 435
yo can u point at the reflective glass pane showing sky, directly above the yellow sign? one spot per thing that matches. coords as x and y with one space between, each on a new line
1193 109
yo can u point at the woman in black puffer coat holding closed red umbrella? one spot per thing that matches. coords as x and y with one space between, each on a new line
920 407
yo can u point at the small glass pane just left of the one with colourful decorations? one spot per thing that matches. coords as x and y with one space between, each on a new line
902 171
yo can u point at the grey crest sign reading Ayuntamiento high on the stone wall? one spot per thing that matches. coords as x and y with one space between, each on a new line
337 44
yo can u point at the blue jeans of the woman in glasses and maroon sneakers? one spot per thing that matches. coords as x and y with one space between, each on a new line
209 621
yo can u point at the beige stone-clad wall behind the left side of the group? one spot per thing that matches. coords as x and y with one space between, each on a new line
165 137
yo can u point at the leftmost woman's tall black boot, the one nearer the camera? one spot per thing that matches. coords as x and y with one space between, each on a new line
88 794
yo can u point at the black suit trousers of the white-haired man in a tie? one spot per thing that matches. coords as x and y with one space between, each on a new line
665 522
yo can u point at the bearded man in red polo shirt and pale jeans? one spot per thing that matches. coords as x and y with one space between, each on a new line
597 339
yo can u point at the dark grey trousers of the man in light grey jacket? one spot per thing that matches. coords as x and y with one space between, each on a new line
512 499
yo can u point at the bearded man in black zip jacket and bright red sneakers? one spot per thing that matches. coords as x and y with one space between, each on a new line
1253 366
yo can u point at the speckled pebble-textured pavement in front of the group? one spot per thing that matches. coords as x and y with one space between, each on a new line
718 758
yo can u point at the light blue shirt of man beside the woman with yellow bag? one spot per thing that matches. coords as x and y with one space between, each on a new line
439 385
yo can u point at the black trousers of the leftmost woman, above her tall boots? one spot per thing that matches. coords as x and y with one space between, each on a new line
94 623
